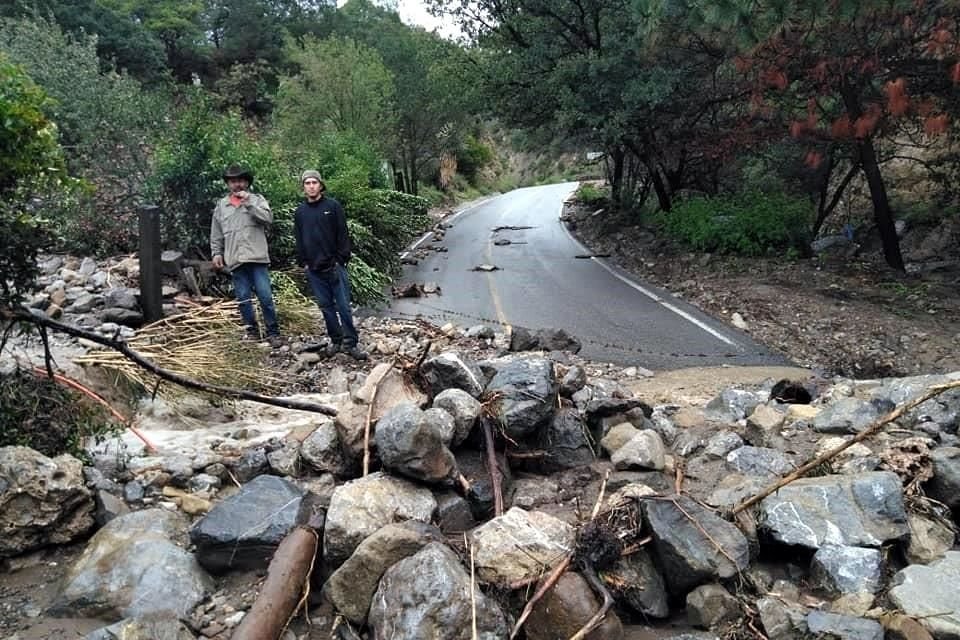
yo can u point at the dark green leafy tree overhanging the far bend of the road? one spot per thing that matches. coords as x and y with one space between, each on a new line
584 70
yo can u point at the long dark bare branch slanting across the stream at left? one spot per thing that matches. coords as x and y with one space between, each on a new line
183 381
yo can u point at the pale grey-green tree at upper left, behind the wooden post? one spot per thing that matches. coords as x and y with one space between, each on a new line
105 122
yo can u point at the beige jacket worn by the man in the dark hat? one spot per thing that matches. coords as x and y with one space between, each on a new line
239 234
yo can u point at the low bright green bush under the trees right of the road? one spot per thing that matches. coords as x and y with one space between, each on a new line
751 224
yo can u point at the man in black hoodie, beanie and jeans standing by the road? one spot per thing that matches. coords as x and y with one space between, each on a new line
323 248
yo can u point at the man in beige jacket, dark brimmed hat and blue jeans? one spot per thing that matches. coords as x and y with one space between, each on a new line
238 243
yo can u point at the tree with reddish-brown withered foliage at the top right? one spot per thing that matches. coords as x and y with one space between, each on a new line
850 77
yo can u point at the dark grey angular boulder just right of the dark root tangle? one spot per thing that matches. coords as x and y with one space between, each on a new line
693 545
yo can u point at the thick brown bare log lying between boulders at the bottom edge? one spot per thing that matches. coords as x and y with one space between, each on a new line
284 590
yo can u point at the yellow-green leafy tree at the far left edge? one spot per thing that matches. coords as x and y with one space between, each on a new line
30 165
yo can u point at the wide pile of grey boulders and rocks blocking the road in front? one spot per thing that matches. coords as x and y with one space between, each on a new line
863 546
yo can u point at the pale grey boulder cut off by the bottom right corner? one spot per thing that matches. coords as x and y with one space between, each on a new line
929 593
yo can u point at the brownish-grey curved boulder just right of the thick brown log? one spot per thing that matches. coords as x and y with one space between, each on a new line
351 587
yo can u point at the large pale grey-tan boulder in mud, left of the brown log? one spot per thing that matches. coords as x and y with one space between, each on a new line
133 567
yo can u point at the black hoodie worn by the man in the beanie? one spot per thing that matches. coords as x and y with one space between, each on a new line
321 231
